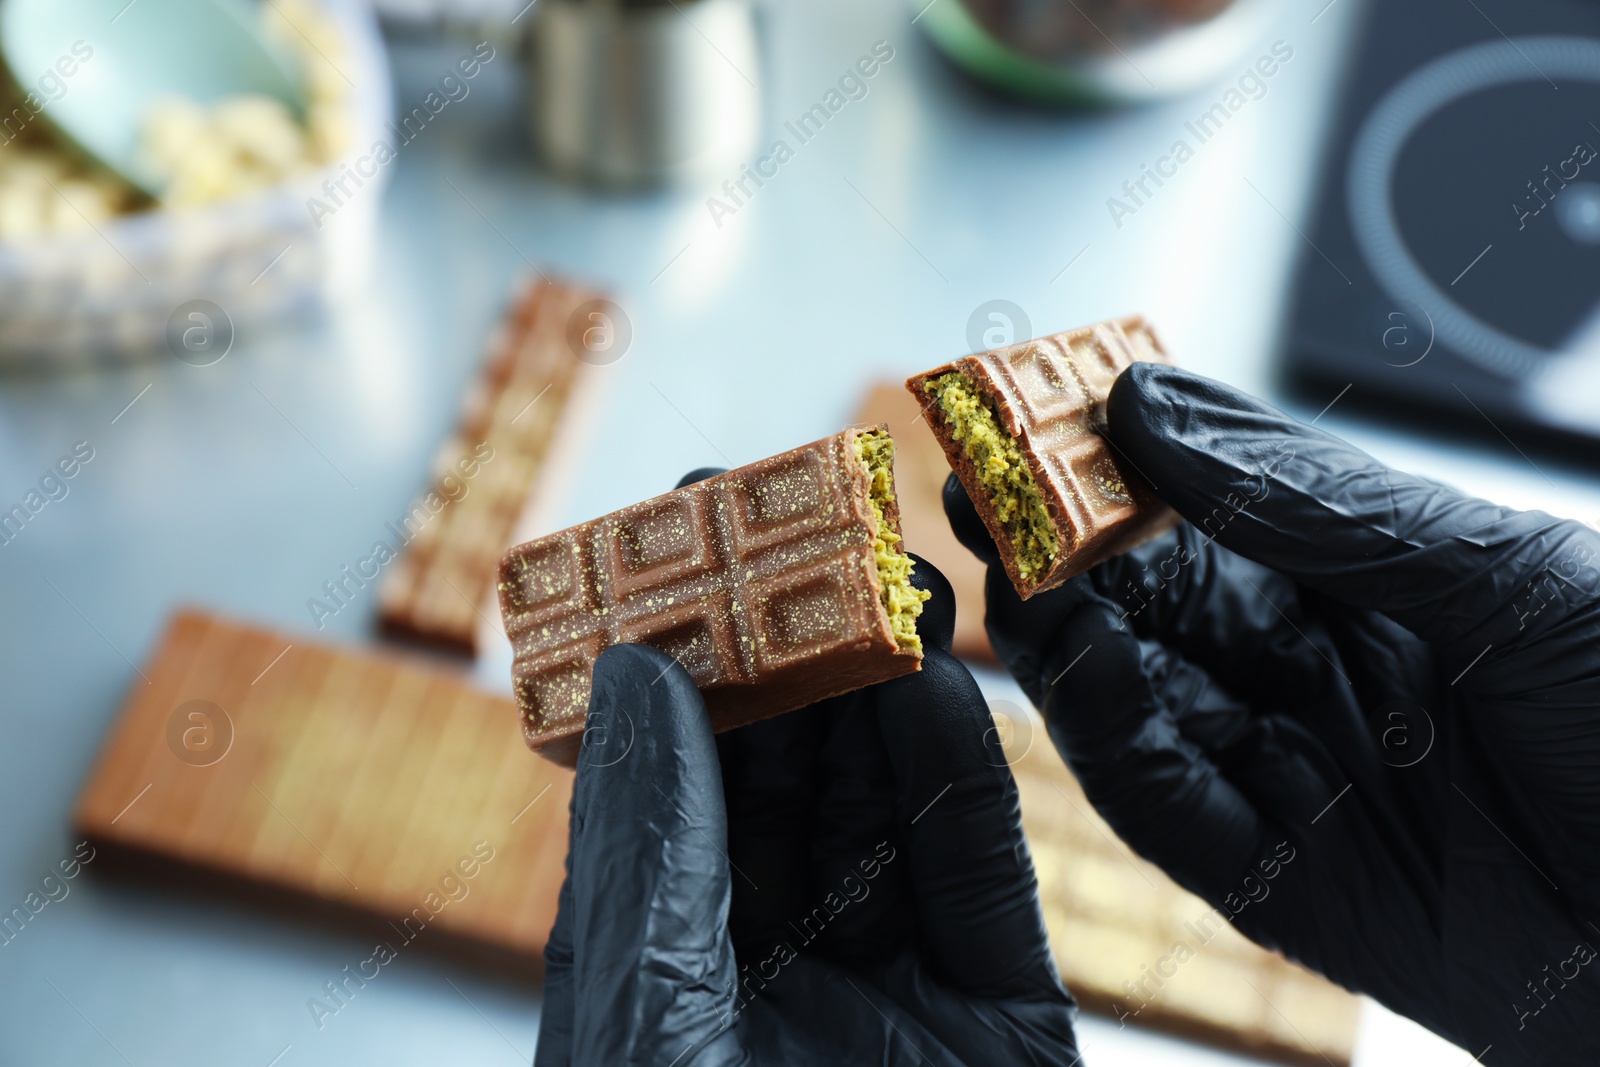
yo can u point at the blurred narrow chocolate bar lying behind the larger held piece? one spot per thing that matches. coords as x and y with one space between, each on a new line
497 479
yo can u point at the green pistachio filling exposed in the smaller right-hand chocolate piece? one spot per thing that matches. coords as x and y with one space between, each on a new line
1002 470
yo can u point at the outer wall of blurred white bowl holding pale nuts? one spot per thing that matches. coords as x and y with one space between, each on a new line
106 295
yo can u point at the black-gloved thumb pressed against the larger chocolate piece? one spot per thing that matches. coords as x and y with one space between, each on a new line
654 965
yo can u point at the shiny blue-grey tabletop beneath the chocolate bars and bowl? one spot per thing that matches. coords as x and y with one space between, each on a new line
865 258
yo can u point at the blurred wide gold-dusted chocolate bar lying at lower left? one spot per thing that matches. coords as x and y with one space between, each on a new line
350 778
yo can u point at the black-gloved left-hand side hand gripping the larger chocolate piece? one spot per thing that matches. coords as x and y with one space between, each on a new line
842 885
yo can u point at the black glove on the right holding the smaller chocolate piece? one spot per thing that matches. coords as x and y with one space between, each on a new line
1369 727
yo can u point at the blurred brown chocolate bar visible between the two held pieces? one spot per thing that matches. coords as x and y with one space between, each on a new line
921 471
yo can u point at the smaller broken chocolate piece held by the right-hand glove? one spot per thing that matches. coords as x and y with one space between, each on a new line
1022 431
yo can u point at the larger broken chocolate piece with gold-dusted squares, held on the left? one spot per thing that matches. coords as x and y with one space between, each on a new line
775 585
